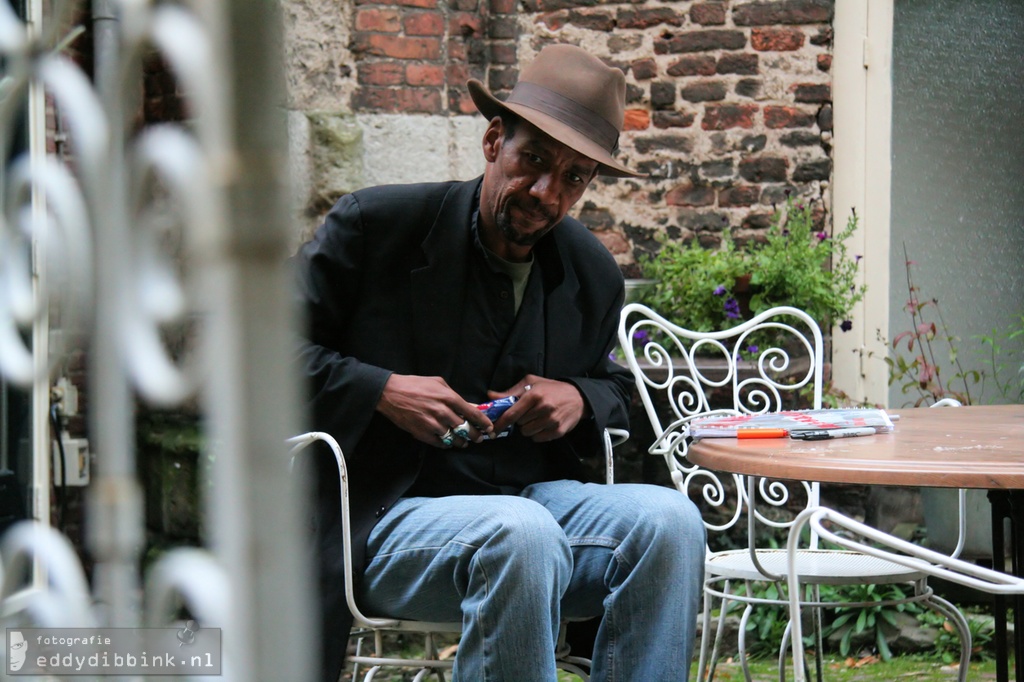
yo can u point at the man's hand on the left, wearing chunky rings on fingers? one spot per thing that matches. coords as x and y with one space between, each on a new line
428 408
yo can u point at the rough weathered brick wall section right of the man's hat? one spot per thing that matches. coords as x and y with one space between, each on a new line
729 110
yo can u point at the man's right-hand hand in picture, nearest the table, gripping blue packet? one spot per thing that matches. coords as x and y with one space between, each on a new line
547 410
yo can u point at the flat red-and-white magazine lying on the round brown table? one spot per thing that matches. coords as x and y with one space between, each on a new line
793 421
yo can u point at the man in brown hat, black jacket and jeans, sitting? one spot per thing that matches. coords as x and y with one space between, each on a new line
426 301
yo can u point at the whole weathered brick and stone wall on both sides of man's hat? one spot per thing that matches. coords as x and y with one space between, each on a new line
729 103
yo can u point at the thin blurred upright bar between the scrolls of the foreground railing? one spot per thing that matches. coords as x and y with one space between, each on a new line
116 519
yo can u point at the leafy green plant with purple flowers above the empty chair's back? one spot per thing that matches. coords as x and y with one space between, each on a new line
797 265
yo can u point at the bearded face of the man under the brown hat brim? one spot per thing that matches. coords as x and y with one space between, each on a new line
530 185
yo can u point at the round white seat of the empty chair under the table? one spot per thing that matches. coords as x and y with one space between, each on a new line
815 567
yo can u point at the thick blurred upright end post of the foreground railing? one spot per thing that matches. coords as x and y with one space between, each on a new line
252 390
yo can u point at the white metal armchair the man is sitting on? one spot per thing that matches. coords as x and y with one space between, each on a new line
367 626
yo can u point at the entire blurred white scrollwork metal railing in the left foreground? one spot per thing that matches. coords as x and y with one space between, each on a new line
90 238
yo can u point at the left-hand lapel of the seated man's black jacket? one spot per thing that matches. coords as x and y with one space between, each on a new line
439 290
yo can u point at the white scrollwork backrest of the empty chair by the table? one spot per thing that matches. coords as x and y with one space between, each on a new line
771 363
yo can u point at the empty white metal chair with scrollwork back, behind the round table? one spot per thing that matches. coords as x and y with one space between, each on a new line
763 365
